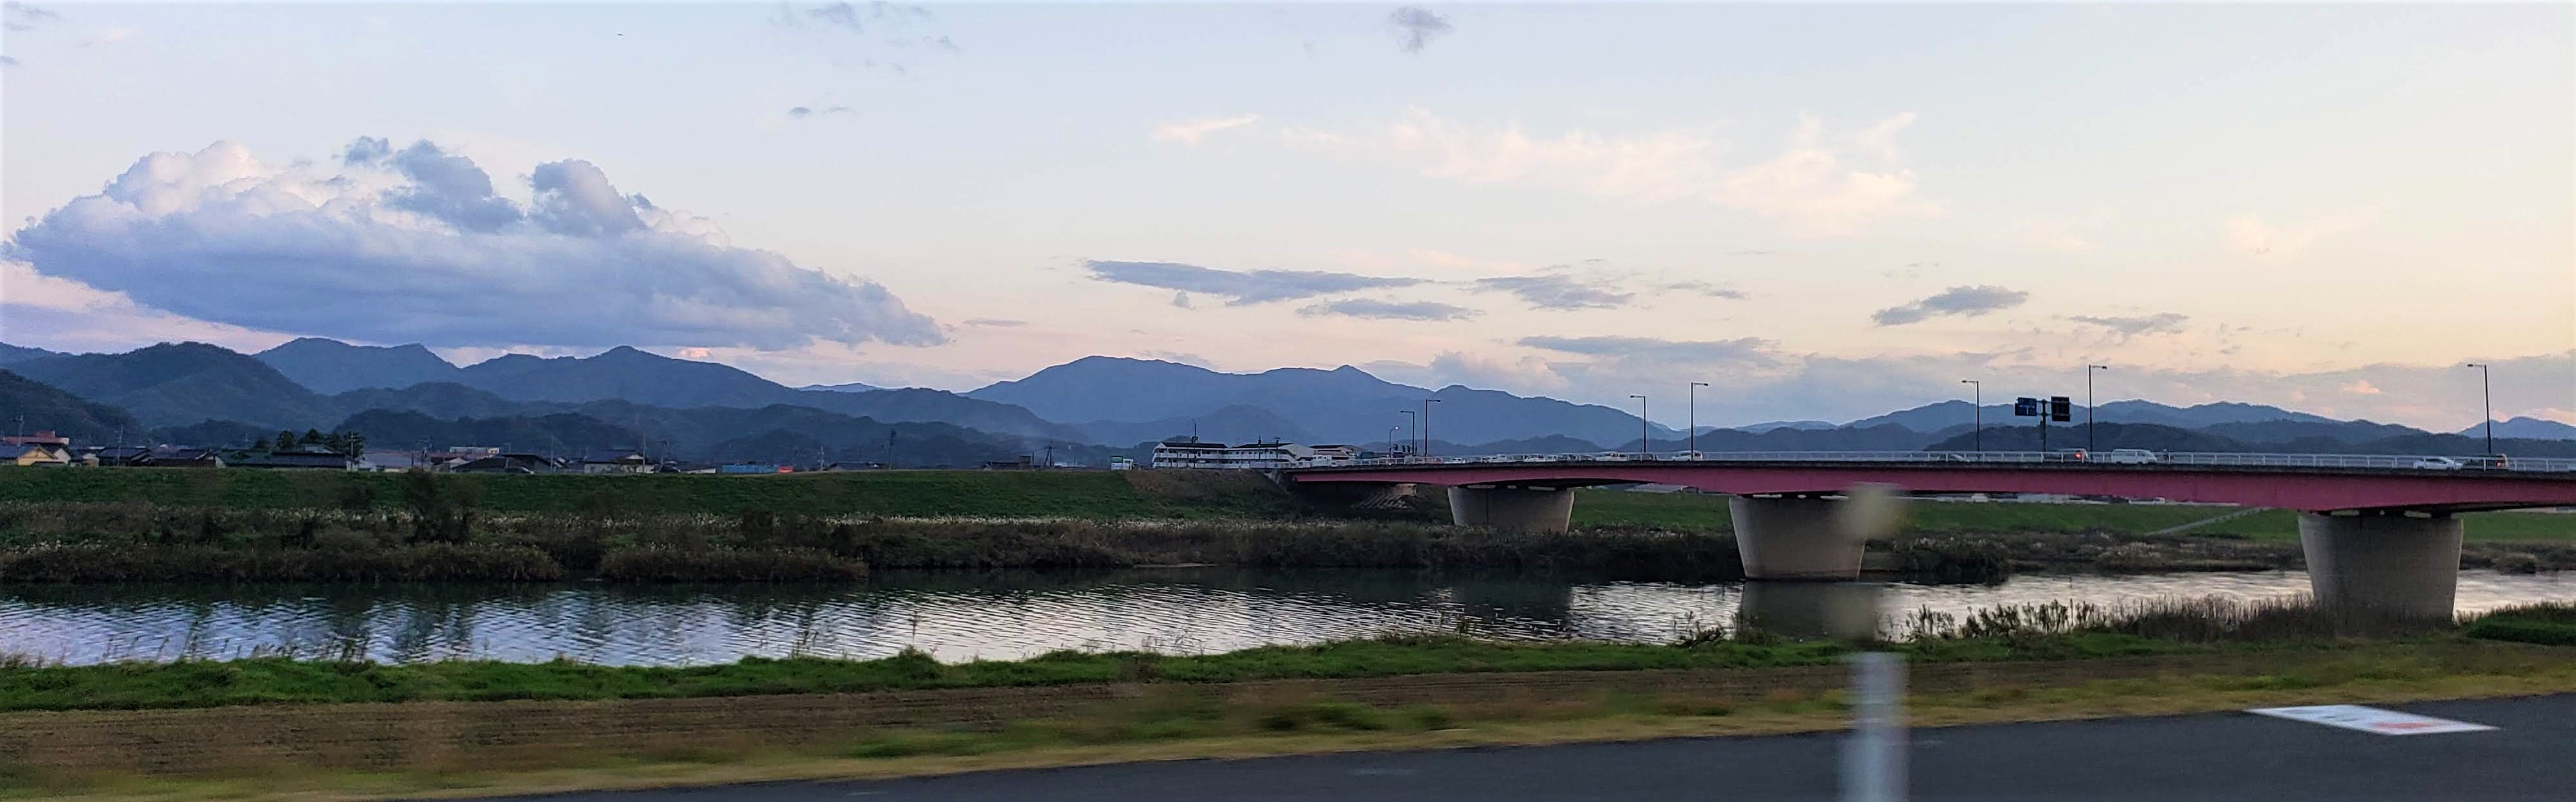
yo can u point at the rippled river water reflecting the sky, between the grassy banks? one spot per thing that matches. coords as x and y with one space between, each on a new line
970 615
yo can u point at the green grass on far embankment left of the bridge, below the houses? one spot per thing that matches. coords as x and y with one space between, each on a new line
844 494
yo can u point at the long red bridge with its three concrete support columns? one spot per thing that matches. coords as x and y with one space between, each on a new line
2376 530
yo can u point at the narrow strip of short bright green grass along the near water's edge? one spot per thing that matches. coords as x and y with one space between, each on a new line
326 682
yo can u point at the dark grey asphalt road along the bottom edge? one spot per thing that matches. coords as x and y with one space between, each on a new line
2204 757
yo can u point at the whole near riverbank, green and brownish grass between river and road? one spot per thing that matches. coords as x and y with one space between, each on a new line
354 731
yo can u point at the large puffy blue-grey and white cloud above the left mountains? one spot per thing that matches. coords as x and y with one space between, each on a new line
403 246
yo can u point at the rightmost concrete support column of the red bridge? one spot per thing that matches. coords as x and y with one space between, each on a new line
2384 563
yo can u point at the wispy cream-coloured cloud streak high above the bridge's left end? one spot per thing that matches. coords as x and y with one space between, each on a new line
1812 184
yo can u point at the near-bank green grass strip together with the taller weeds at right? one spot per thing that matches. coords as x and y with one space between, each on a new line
1990 636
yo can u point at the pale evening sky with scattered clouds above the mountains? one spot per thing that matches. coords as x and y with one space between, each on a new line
1820 210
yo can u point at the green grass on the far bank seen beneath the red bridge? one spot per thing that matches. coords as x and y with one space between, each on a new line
1696 512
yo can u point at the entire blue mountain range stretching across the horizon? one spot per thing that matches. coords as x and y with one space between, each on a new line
1088 406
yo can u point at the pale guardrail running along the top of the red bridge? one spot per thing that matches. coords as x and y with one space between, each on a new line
2023 458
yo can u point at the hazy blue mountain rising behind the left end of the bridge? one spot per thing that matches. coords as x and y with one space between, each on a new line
1346 406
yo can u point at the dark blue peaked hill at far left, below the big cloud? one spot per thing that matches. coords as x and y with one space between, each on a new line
184 383
